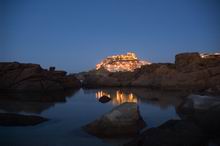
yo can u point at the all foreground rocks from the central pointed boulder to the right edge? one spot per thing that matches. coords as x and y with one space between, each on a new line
197 125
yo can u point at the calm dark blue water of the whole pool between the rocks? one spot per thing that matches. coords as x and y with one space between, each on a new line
68 112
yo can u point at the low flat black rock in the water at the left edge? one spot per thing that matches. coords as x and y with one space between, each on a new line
10 119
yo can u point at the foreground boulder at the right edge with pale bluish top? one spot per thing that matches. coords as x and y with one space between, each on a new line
204 111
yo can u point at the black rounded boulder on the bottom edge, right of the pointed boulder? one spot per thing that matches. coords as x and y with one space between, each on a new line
171 133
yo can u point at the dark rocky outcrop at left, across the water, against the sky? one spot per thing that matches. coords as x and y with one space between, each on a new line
16 76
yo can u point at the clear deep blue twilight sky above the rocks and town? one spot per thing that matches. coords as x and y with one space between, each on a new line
74 35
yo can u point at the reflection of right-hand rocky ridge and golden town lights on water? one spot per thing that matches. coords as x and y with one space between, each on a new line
163 99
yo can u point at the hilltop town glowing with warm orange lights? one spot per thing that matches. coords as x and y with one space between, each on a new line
124 62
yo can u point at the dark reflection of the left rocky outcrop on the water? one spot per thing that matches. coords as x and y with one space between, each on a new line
32 102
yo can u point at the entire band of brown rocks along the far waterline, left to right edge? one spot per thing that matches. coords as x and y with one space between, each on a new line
191 71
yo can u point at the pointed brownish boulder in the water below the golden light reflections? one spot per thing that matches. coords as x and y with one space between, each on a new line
123 121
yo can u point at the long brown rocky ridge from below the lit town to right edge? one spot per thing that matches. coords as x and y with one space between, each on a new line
191 71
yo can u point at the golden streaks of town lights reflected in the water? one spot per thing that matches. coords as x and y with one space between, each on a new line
118 97
